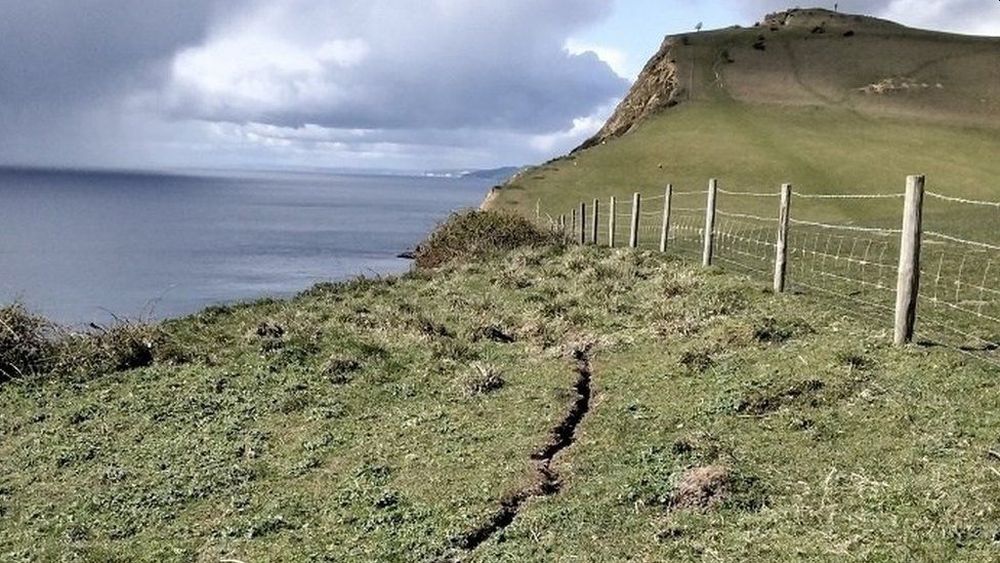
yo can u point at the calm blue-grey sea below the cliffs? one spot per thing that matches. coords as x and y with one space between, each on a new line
80 246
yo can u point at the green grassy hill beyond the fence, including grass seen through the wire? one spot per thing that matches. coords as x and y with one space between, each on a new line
760 107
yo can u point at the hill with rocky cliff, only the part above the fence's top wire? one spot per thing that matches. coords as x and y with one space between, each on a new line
829 102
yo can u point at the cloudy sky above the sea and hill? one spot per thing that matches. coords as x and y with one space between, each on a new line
376 84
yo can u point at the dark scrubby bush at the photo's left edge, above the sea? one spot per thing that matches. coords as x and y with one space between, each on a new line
26 343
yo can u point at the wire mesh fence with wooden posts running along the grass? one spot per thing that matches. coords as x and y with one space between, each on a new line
845 246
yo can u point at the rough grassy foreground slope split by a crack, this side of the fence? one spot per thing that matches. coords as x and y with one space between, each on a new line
838 443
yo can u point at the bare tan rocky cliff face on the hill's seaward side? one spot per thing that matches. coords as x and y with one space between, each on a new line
655 89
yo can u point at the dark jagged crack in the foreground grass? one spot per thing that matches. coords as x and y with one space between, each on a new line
546 481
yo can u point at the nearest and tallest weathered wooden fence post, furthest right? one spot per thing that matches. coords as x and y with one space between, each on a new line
908 284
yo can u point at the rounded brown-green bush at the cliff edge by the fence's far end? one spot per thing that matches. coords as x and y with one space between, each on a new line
479 234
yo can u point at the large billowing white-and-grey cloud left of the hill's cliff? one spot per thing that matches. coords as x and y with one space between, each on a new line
382 64
